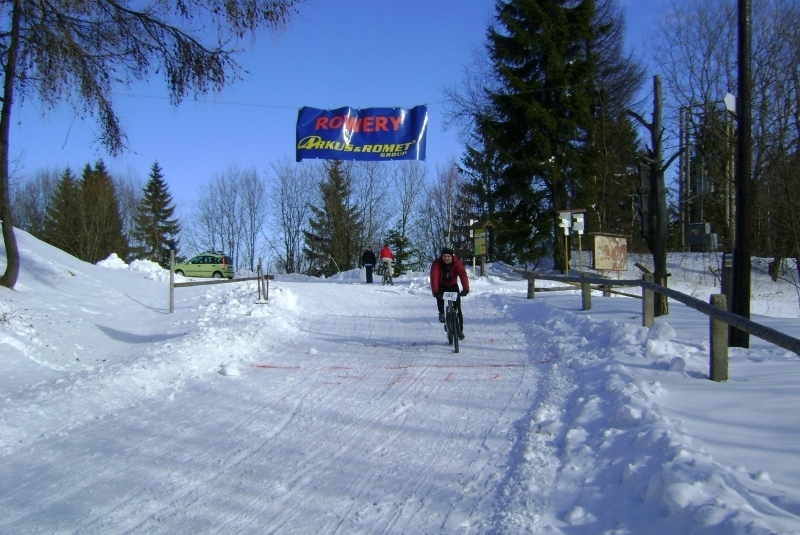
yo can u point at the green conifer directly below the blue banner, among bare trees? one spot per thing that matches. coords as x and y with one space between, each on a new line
332 239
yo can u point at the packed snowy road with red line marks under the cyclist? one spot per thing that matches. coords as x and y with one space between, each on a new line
356 423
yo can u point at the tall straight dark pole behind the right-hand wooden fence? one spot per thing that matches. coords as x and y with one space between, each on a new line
742 250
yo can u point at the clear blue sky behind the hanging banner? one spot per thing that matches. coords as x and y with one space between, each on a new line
359 53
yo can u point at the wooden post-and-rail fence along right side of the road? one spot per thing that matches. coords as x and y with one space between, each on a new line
716 310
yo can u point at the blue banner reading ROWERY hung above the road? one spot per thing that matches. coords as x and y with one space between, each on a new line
369 134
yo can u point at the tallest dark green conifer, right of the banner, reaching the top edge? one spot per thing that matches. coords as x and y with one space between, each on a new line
540 114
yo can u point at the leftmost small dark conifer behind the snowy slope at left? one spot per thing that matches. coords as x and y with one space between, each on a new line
62 227
